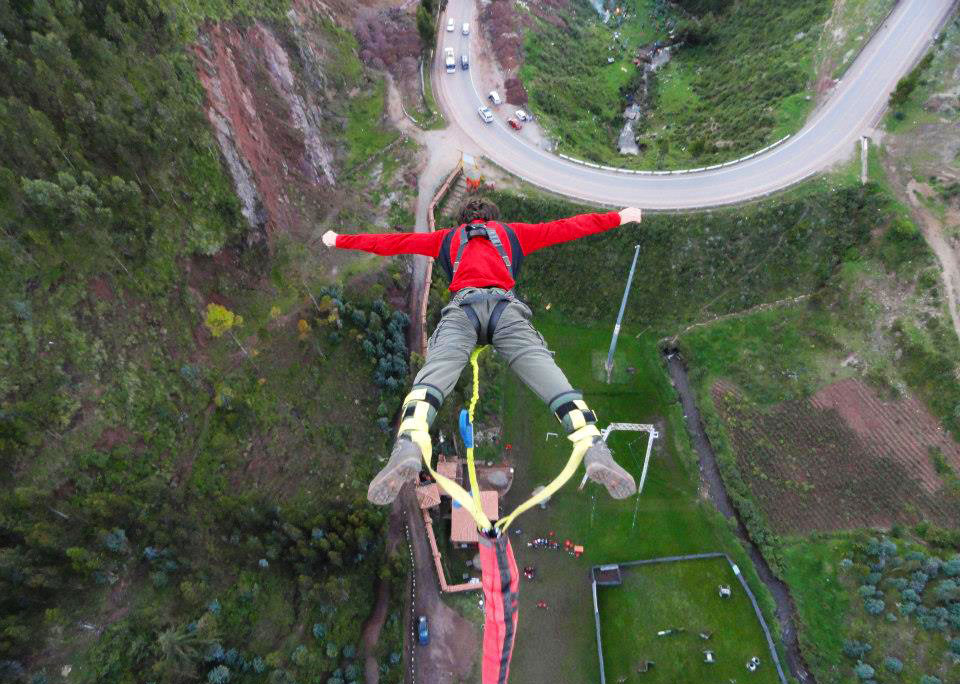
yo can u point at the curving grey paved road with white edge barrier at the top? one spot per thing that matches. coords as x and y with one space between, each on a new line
851 111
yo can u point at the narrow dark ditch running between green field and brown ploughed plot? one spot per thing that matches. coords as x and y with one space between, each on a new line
710 473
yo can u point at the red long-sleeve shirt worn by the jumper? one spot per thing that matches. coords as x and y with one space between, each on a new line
481 265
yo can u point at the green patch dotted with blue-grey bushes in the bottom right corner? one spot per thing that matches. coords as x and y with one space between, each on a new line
887 604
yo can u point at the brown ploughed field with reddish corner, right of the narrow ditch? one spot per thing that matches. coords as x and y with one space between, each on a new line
843 458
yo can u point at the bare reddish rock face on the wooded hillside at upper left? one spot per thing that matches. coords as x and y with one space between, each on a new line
267 123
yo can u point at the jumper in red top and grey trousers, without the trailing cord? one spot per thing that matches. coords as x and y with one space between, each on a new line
482 258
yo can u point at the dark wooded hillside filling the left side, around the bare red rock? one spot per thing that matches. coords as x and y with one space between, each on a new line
187 489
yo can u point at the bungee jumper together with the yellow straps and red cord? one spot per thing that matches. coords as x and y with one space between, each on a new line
482 258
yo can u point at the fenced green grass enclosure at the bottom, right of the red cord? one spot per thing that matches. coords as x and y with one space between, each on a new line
681 595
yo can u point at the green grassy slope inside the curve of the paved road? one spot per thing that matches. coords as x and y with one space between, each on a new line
740 81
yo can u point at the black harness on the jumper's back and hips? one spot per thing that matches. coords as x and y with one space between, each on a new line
450 266
